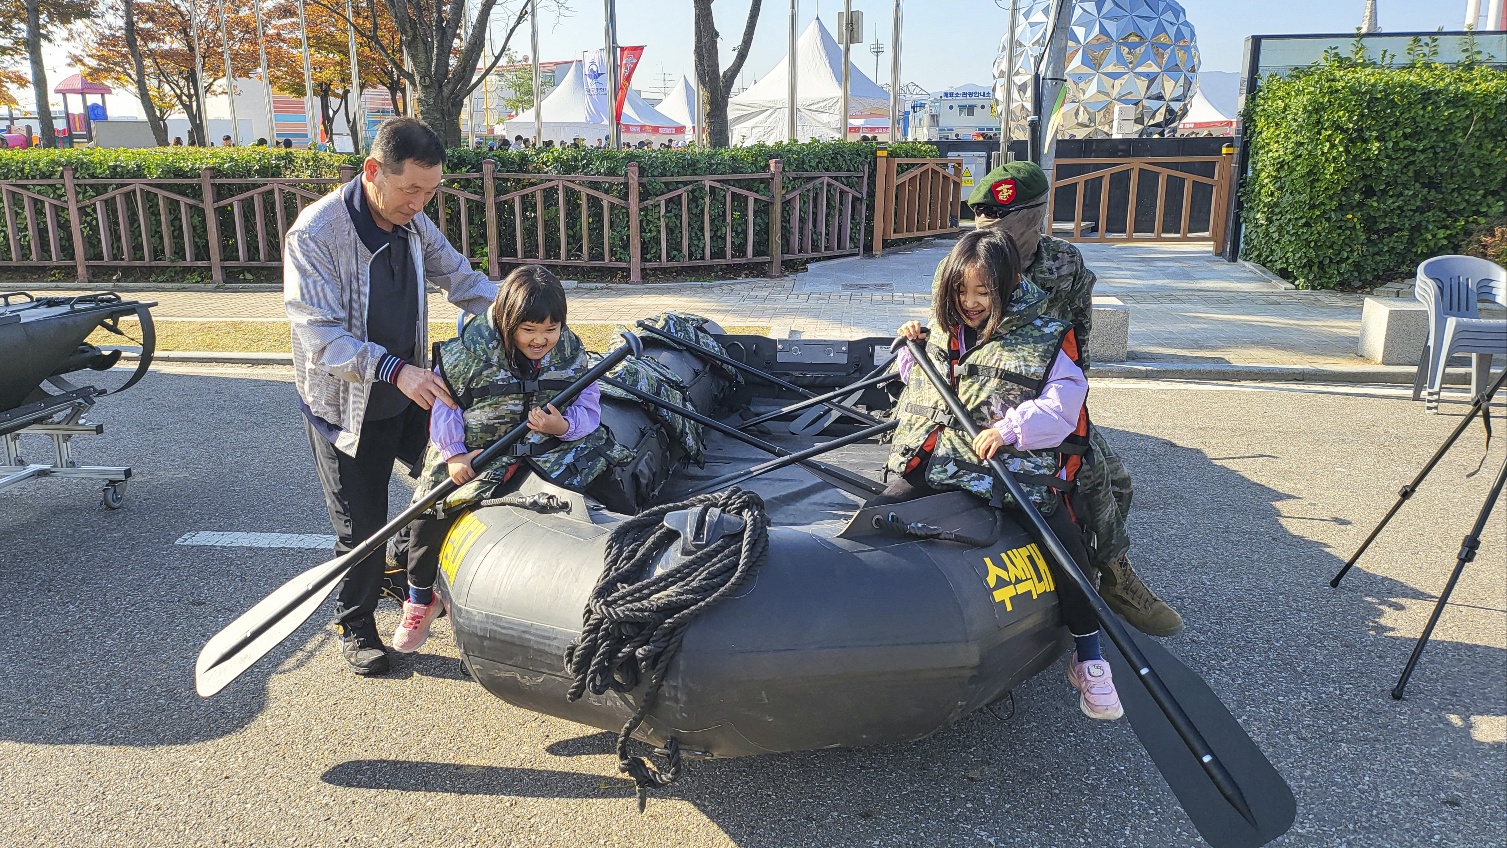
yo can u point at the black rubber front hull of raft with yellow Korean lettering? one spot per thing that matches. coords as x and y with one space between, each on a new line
845 639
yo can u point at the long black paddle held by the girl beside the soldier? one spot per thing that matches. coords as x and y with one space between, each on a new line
1233 796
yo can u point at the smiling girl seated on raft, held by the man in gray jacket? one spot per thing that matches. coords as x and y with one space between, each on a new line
501 371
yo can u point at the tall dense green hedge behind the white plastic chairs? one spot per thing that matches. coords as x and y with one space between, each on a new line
1360 171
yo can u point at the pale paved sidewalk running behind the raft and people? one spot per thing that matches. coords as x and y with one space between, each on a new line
1190 311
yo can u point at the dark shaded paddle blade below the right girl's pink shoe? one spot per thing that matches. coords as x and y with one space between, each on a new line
1267 793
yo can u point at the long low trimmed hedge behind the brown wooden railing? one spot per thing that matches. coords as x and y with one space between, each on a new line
685 230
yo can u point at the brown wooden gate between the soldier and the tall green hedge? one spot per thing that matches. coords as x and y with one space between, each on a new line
1114 200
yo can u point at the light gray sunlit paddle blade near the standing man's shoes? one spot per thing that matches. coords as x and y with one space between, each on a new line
261 629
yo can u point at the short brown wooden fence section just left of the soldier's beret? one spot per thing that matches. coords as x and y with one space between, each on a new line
916 198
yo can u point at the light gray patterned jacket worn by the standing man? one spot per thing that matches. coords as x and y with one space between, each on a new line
326 291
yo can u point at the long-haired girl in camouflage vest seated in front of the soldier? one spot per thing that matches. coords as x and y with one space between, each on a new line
1015 373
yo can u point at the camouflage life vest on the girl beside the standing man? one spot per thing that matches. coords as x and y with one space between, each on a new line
494 401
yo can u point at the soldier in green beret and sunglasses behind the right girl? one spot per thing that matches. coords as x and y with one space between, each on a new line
1013 198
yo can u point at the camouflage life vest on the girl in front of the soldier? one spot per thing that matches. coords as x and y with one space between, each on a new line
995 376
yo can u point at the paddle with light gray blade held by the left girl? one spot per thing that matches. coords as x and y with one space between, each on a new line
261 629
